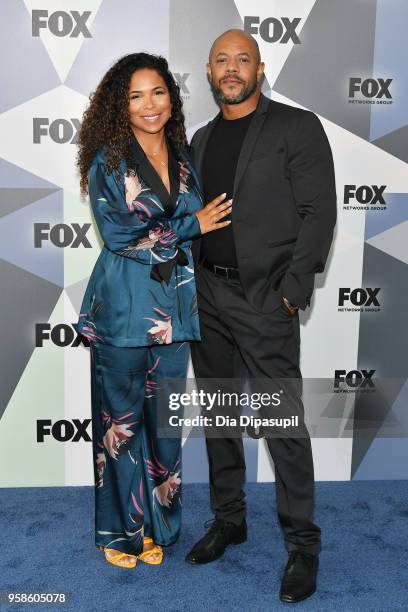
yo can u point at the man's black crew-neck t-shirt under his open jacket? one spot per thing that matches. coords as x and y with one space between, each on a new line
218 172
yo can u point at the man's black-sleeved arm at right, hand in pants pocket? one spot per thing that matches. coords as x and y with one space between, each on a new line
312 180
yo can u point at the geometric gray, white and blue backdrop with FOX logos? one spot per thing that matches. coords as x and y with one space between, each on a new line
344 61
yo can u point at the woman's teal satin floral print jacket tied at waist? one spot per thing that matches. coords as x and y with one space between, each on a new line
125 303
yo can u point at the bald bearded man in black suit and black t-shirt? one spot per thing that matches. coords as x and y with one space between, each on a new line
252 277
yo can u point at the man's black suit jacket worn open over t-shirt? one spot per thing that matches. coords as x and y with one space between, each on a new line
284 208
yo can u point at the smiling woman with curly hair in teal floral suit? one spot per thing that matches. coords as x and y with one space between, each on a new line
139 309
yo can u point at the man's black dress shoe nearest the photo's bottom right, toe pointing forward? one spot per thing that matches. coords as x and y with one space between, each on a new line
299 580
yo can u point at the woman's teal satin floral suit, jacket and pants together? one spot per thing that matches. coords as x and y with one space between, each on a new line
139 312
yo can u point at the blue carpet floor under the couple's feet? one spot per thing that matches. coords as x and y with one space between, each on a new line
47 546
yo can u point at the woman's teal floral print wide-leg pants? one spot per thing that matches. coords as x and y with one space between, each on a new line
137 473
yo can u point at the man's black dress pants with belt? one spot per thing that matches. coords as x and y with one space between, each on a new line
238 340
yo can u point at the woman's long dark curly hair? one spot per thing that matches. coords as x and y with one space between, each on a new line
106 121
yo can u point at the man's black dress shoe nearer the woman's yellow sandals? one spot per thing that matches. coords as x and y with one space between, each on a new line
216 540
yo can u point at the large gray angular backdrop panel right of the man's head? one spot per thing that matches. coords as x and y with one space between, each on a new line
317 72
